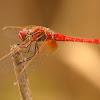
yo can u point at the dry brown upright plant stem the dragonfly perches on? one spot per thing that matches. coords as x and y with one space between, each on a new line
23 83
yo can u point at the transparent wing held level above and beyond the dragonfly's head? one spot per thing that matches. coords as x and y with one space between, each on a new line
11 32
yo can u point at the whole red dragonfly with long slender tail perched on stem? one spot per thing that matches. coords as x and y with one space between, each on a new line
34 35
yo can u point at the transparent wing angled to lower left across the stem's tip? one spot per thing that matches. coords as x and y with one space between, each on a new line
6 63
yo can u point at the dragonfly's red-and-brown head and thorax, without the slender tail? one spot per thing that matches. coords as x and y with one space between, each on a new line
39 34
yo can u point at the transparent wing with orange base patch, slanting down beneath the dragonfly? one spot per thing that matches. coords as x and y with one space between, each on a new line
45 48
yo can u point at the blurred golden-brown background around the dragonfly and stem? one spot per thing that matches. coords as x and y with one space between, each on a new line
73 71
